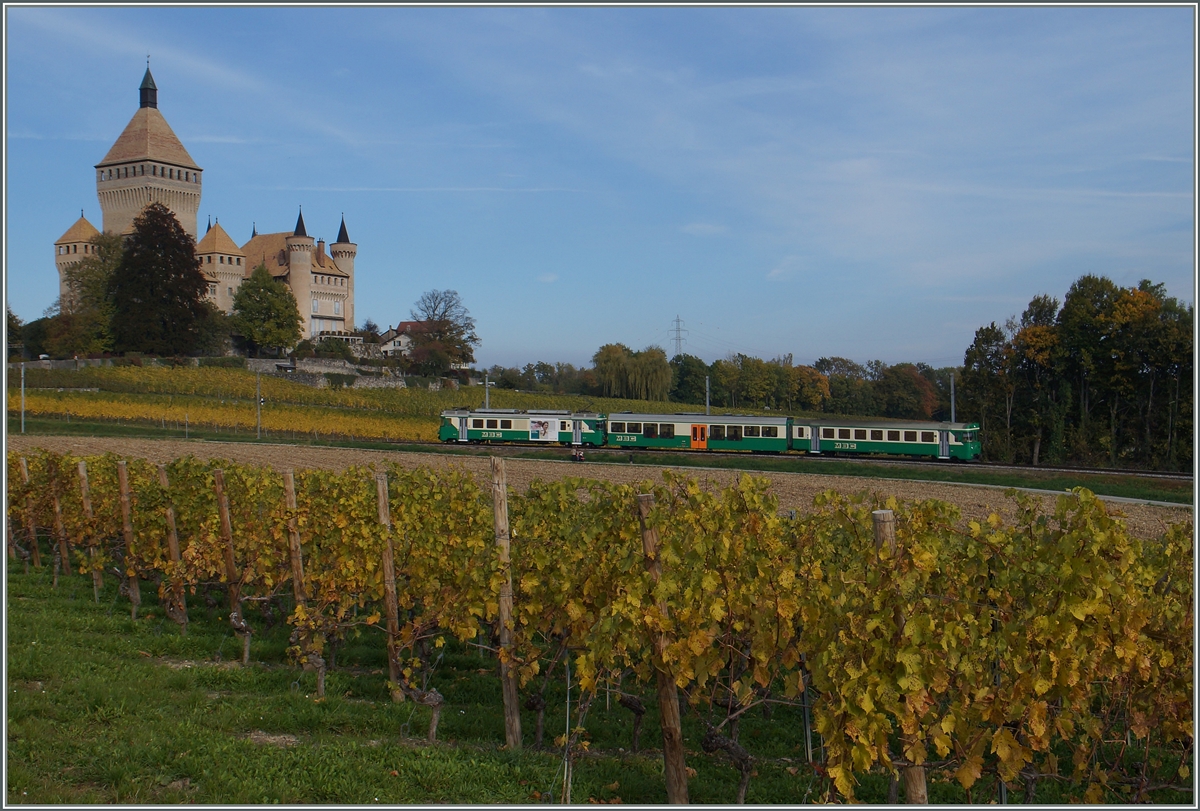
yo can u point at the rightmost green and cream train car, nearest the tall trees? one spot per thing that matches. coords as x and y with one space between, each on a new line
941 441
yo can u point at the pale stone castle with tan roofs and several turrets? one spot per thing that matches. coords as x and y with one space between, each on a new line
149 165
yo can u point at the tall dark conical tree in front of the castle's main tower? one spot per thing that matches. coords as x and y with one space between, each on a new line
158 291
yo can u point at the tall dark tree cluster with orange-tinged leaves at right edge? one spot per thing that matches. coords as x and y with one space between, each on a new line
1103 380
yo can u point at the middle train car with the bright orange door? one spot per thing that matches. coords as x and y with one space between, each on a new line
731 432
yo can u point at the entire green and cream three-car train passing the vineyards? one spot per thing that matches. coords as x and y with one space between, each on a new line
701 432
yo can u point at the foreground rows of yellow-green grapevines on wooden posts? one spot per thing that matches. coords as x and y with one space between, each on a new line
1059 648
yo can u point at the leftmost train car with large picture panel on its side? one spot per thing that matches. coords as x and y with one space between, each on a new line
497 425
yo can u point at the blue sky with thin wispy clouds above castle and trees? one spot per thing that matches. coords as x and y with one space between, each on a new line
867 183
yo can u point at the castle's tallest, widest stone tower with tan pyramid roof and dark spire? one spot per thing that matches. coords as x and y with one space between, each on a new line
148 165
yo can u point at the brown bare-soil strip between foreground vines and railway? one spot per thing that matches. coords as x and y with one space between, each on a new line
795 491
